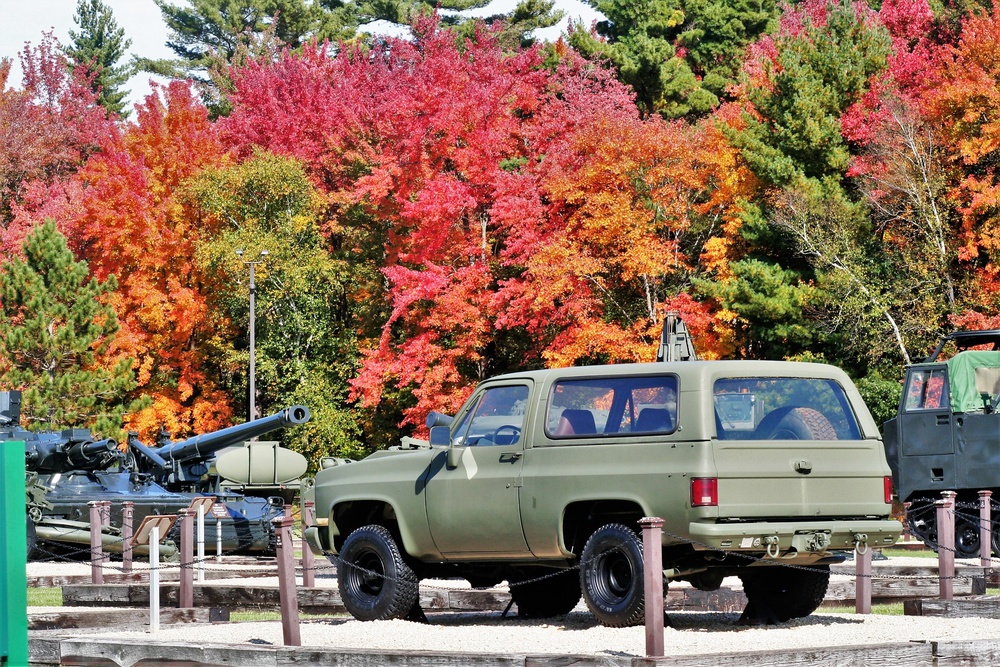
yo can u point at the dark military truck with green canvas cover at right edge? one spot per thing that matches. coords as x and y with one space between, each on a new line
946 436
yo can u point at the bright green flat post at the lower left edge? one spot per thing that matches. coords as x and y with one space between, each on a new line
13 556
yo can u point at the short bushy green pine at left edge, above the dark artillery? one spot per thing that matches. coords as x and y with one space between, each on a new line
56 334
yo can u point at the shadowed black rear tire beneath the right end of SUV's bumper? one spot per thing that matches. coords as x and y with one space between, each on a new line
778 594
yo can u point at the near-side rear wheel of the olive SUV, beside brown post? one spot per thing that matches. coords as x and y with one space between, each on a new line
611 576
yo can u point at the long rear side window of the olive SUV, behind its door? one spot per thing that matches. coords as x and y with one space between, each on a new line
612 406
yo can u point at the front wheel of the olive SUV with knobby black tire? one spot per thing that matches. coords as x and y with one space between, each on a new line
375 583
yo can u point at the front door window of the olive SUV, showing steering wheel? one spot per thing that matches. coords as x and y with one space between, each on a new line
496 418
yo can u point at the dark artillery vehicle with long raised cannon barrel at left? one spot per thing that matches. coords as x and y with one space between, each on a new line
67 469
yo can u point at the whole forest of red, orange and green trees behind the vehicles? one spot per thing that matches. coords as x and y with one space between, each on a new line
809 181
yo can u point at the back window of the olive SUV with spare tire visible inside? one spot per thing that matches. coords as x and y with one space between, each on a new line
781 408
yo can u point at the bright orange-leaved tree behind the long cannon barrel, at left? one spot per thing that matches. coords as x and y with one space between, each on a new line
121 214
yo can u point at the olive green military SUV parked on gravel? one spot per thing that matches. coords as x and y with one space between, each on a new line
762 469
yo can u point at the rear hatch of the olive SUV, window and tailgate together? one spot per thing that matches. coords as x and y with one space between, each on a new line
791 448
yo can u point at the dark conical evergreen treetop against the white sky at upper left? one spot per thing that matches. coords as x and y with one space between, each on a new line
98 47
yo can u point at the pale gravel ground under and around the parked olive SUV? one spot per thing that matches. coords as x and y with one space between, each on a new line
576 633
